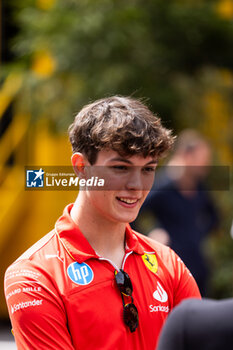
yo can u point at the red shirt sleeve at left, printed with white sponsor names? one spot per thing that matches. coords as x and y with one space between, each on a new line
36 309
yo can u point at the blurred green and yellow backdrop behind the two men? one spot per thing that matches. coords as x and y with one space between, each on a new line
58 55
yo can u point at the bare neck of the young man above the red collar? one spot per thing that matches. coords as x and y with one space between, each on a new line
106 237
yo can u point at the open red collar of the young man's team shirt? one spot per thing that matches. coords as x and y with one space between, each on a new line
78 247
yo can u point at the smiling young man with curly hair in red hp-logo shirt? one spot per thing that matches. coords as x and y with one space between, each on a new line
93 283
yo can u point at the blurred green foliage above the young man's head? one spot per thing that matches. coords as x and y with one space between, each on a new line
110 47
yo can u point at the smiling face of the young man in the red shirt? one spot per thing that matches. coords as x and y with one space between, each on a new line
127 183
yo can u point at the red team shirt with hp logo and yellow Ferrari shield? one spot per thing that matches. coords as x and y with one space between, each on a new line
62 295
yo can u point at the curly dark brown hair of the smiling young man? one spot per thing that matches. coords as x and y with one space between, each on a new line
123 124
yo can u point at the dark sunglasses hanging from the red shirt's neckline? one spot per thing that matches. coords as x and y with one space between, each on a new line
130 312
